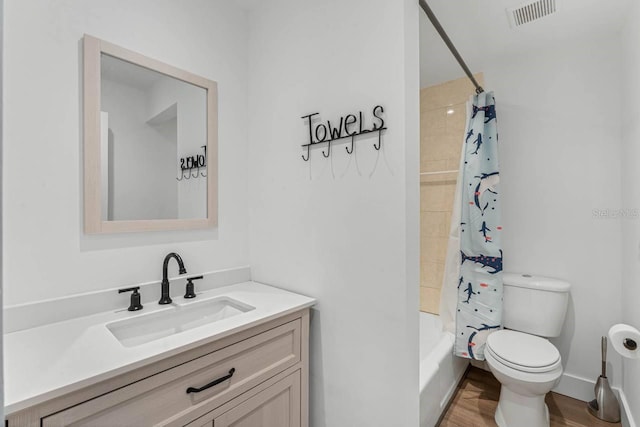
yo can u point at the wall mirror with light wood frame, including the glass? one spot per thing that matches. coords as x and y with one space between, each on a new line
150 143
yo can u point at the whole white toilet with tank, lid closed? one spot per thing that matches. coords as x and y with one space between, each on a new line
527 365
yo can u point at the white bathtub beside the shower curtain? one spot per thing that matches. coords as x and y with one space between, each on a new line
440 371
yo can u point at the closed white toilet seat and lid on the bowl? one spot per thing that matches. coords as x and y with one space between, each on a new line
523 352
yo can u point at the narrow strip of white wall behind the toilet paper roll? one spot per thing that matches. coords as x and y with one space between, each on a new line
631 197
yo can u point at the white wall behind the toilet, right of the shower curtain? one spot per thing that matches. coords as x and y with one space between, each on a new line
559 126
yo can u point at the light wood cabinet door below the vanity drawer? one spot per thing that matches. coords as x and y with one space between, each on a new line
277 406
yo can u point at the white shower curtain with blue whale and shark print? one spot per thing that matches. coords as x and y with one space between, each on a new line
471 302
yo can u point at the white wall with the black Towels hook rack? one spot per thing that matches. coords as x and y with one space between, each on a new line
344 230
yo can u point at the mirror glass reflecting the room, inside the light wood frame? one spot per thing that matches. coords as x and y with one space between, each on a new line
148 122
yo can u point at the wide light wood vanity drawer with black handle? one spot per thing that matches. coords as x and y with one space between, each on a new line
162 398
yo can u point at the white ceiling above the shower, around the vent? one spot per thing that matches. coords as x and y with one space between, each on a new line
480 29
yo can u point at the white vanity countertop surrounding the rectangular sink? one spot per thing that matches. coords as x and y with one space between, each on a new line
51 360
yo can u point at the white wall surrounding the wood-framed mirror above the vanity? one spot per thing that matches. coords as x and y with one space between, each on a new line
46 254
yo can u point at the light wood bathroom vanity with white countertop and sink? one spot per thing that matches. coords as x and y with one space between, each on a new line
246 369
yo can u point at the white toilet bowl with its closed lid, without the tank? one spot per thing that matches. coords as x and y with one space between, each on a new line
528 367
